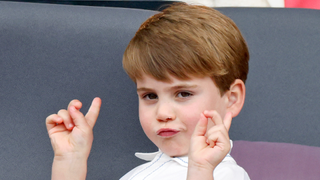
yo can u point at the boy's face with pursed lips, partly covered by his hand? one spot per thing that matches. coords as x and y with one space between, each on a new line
169 111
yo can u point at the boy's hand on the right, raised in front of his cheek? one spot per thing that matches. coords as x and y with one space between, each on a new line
208 147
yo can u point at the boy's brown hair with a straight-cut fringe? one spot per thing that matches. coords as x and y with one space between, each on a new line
188 40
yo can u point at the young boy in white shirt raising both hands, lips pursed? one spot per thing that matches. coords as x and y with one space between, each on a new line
189 64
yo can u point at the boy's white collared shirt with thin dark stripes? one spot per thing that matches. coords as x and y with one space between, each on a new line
164 167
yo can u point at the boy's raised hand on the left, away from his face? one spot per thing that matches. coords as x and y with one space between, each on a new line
71 132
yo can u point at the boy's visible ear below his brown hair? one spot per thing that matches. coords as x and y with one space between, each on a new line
236 96
